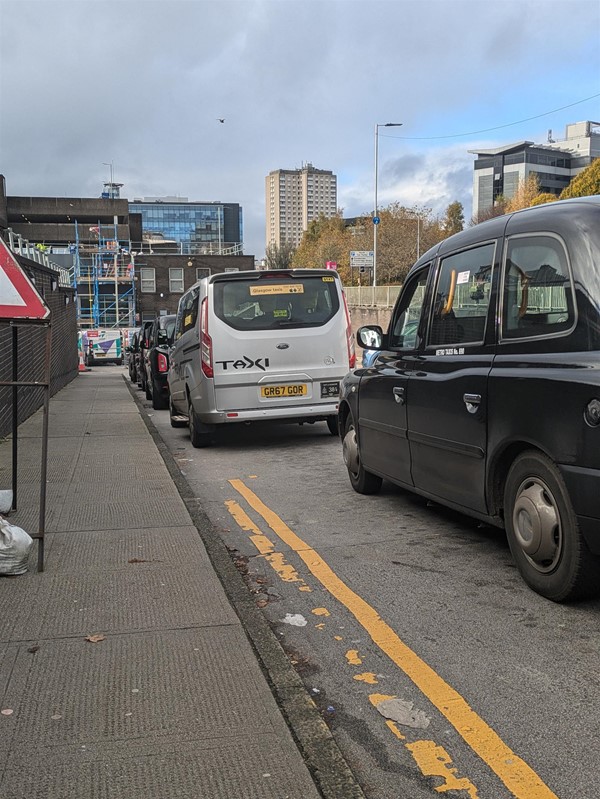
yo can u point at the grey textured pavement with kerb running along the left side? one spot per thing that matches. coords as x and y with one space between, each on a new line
136 665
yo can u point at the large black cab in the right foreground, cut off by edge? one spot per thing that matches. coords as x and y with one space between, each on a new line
485 395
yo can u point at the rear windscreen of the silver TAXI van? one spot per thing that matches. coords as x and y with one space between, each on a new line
269 304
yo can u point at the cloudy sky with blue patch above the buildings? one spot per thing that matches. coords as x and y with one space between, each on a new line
135 88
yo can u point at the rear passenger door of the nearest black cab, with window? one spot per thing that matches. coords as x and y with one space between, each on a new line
448 397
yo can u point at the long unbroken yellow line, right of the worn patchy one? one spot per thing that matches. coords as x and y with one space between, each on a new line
519 778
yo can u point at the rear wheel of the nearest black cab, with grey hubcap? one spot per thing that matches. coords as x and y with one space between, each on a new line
543 534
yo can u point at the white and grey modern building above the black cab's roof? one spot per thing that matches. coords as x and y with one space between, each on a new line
497 171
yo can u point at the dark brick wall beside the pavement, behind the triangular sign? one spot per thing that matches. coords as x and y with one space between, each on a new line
64 358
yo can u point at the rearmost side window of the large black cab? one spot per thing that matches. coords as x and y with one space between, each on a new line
537 296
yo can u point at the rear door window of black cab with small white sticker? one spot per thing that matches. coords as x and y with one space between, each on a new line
462 297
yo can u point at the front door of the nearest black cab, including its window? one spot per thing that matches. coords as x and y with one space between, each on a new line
382 418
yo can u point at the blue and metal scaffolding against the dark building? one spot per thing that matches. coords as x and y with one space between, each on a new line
103 277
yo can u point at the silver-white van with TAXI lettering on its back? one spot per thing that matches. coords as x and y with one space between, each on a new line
252 346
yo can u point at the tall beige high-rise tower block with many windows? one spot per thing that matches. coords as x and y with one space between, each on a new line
293 198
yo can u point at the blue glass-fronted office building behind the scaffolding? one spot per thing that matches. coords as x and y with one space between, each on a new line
191 227
